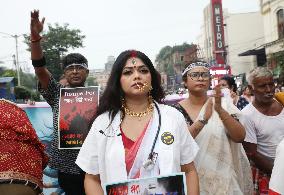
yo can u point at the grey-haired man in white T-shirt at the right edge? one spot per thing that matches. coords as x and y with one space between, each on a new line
264 123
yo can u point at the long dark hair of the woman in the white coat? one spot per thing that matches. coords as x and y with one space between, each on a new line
113 94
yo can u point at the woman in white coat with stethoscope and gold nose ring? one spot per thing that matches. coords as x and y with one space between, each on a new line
134 136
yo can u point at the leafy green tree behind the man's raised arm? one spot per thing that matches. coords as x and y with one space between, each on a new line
57 40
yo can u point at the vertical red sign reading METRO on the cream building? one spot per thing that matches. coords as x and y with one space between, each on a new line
217 17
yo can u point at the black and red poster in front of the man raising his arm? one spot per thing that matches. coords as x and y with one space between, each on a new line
77 109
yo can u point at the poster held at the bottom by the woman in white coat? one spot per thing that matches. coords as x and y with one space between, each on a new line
162 185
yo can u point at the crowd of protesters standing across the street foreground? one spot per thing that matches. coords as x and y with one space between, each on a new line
225 145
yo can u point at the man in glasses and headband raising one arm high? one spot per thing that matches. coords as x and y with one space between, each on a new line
75 65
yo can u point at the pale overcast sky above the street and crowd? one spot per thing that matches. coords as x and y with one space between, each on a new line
110 26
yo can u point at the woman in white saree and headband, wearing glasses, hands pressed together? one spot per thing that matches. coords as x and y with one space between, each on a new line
222 165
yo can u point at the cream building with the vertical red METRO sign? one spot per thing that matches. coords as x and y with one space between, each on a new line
225 35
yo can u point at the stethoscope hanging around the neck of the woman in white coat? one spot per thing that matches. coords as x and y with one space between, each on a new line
152 157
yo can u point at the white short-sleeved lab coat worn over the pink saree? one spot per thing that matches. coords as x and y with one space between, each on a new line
103 151
